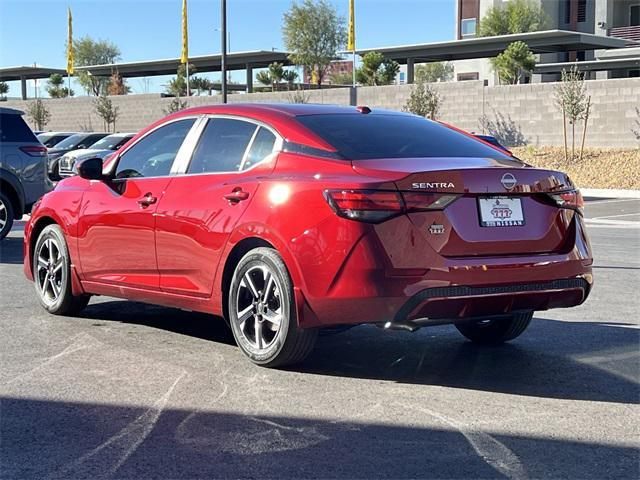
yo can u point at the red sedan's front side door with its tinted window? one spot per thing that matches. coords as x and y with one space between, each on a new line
116 237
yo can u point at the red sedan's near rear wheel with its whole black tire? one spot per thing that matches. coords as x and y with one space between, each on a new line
262 311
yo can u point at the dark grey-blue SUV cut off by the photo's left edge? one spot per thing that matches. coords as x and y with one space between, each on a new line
23 163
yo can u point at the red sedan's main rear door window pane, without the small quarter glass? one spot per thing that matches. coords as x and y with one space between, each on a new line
222 146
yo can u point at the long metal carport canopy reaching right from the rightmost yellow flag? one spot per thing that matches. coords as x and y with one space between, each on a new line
486 47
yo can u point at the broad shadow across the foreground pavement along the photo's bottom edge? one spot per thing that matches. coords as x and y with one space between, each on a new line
62 439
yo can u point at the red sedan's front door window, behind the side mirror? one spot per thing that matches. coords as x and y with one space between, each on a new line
154 154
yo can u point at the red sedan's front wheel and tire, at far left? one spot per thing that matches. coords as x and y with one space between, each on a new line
52 274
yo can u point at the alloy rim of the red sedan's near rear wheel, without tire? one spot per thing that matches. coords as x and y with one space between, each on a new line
259 307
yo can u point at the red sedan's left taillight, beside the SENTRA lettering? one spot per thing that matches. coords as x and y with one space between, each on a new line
374 206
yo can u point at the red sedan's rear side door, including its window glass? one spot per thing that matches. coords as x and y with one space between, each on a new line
202 206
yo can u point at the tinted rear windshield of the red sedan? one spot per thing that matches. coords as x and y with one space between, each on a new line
359 137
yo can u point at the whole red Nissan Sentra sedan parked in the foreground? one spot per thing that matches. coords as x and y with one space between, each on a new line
288 218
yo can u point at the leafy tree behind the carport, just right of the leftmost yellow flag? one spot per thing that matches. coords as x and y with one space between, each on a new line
87 51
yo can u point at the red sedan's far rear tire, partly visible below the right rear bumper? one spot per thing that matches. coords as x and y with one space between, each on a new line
498 330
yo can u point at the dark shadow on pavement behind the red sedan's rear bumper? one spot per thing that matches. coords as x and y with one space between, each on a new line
553 359
